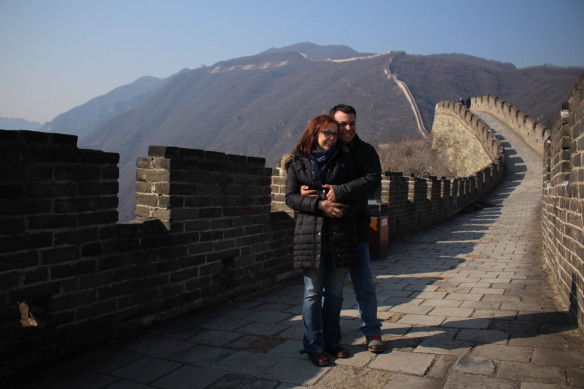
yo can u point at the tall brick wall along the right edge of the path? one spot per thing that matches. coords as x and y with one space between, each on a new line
563 201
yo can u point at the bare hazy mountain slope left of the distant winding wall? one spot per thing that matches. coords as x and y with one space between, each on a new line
253 106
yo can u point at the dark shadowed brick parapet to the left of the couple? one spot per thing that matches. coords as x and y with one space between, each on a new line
205 233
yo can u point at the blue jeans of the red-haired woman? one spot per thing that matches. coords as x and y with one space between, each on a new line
321 308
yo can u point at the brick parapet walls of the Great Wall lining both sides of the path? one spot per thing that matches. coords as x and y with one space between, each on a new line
211 227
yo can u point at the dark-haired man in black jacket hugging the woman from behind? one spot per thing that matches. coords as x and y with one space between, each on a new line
369 171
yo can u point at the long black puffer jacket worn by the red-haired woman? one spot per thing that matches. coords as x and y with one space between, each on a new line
311 224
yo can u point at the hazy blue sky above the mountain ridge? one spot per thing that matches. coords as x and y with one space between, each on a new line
58 54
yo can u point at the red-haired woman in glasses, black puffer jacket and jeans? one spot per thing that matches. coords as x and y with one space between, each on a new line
324 247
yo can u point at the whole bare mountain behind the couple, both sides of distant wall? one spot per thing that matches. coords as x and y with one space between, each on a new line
258 105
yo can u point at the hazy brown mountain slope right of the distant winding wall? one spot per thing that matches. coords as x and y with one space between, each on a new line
537 91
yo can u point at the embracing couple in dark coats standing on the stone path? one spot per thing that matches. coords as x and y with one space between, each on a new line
330 175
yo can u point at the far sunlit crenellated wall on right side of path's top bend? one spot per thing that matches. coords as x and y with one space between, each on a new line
534 133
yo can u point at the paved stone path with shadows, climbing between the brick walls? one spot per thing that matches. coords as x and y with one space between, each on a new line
464 305
